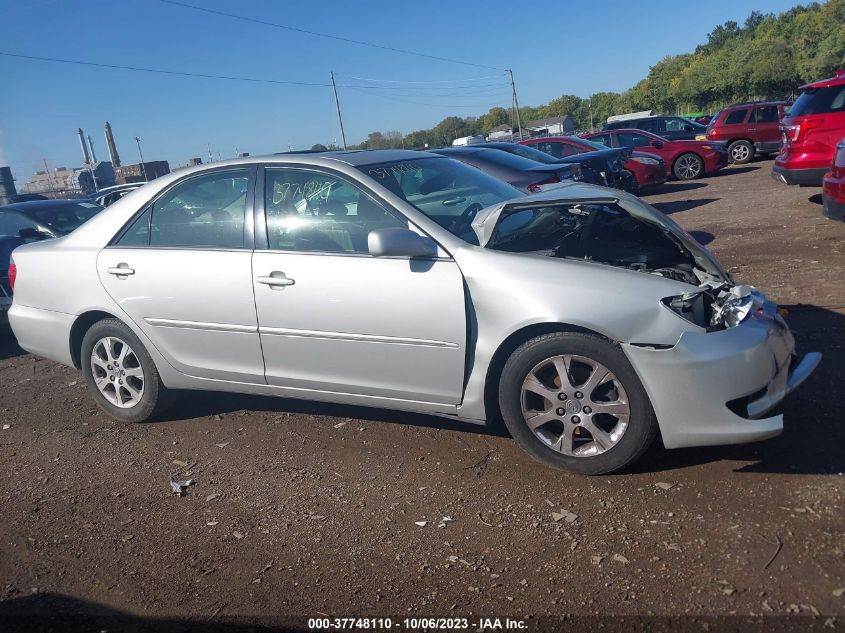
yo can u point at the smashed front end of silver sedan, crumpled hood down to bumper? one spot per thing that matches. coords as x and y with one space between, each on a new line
717 380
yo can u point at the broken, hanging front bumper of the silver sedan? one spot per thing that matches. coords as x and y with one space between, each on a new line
712 388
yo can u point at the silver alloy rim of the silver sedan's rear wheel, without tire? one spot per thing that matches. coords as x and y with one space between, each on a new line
117 372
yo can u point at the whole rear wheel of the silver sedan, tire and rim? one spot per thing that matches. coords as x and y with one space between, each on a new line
119 372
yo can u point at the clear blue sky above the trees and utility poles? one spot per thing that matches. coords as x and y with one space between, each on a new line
577 48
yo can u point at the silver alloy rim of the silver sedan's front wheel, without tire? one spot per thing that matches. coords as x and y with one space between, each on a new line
575 405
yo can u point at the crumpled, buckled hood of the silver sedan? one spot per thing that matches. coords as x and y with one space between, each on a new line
487 219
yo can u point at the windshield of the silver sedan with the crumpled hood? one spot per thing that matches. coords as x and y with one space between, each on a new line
447 191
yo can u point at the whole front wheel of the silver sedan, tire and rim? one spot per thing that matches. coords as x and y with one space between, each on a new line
574 402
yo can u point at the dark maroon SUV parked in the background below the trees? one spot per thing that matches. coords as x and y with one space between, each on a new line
748 128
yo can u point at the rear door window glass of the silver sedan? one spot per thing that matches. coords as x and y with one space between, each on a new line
202 212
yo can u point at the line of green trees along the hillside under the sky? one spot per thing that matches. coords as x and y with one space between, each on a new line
768 56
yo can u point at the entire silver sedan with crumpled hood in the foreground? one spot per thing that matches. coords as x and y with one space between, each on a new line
586 319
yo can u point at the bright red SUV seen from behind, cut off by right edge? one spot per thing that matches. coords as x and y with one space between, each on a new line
811 129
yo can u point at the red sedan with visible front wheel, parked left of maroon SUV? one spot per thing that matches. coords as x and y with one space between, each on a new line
686 160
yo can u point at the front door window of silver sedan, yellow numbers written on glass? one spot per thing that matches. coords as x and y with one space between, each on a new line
314 211
